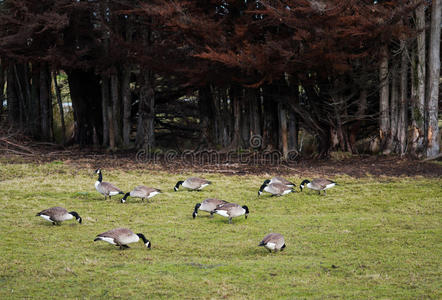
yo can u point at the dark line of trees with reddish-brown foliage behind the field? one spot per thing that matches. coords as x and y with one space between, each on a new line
217 73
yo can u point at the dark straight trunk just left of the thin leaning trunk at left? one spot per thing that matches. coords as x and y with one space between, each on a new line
44 104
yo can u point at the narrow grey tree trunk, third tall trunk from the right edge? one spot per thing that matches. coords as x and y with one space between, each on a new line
403 110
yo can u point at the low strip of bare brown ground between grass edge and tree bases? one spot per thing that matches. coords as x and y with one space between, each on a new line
355 165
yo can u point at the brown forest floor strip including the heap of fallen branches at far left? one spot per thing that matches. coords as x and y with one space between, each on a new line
15 148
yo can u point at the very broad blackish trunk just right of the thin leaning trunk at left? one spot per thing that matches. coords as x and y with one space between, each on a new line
84 87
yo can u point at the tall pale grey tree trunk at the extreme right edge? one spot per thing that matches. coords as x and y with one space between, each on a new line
432 144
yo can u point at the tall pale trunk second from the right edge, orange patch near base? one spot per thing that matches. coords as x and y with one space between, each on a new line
418 121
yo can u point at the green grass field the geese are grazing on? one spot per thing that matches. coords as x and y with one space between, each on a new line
368 238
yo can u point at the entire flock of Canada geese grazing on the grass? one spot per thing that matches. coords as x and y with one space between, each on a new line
277 186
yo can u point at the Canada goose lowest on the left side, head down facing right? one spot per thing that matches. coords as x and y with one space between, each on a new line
121 237
